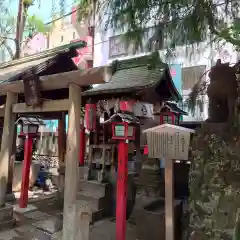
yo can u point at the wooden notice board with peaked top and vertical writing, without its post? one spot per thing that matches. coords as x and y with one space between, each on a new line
168 141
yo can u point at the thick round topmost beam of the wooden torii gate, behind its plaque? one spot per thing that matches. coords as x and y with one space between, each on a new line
85 77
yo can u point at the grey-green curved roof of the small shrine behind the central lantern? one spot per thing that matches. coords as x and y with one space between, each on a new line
137 74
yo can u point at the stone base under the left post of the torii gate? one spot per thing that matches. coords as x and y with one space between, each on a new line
6 217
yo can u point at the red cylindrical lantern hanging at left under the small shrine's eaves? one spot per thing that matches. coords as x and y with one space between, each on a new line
91 116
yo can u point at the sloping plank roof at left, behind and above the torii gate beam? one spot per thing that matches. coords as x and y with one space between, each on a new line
13 70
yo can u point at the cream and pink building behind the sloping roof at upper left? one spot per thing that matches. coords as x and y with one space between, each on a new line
64 32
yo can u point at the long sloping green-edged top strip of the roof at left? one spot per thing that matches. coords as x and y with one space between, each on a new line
44 54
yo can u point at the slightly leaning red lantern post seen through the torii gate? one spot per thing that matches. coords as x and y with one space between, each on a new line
25 171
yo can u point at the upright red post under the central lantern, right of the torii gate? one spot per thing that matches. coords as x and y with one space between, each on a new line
122 190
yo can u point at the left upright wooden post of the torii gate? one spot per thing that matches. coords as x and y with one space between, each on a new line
7 143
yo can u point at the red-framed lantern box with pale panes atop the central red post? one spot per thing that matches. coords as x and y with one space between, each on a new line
123 131
